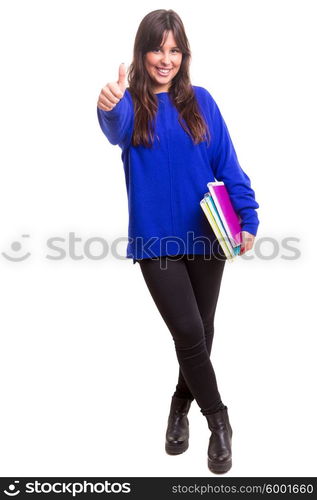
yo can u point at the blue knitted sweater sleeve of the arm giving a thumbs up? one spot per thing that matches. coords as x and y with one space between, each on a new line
117 124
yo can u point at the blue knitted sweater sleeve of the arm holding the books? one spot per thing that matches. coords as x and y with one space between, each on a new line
226 168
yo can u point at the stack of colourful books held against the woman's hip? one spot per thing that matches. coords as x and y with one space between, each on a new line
223 219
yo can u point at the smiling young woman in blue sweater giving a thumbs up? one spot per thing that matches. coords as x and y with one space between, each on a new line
173 141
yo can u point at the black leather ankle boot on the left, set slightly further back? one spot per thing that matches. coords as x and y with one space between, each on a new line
177 433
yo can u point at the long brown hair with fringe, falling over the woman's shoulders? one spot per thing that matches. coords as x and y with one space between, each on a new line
151 34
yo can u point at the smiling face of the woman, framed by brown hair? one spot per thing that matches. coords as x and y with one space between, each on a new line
163 63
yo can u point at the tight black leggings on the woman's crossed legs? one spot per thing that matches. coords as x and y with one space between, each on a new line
185 289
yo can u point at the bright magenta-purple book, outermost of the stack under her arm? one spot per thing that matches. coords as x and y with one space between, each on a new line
229 218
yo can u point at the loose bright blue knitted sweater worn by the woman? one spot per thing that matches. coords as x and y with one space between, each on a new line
165 183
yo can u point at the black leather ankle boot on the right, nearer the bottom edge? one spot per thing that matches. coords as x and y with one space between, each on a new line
219 449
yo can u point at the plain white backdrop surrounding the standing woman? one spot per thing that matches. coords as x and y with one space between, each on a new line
88 366
